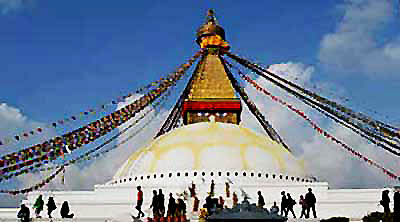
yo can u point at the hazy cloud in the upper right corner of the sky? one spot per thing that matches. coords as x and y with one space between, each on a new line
353 46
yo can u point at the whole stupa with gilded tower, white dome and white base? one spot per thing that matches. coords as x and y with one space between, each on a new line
212 145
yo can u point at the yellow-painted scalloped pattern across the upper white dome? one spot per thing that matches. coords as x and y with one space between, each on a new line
197 138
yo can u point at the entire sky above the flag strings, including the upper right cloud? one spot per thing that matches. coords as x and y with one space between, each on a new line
59 58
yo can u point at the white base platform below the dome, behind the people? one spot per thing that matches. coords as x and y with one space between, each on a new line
115 201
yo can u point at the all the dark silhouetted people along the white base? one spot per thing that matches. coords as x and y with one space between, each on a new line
177 207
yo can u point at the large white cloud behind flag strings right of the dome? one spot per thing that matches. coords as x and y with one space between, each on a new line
322 157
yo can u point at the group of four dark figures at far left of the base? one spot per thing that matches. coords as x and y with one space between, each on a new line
38 206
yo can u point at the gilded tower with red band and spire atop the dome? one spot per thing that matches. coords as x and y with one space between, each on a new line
211 96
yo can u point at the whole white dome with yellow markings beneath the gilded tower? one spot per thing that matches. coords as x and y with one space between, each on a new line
210 146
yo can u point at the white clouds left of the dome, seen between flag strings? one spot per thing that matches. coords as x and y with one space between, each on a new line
78 176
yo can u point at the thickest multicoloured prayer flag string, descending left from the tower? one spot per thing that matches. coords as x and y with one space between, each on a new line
94 130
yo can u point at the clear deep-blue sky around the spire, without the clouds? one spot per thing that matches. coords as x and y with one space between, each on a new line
60 57
